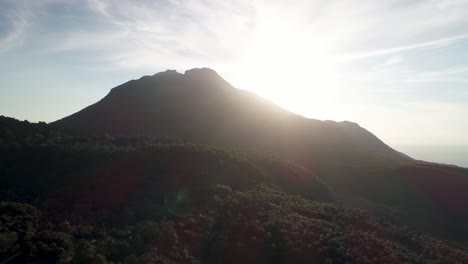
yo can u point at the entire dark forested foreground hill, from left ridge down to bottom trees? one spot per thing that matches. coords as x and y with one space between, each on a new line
89 199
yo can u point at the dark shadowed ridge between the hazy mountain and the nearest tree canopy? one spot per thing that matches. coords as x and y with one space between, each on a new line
48 162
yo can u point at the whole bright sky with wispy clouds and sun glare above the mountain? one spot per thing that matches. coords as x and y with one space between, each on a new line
398 68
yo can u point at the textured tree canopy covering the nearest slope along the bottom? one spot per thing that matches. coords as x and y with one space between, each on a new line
259 225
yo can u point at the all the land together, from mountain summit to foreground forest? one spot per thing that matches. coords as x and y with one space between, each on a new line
184 168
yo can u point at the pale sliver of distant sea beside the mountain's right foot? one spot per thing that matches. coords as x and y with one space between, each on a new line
447 154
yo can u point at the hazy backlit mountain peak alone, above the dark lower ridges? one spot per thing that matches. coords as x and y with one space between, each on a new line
202 107
